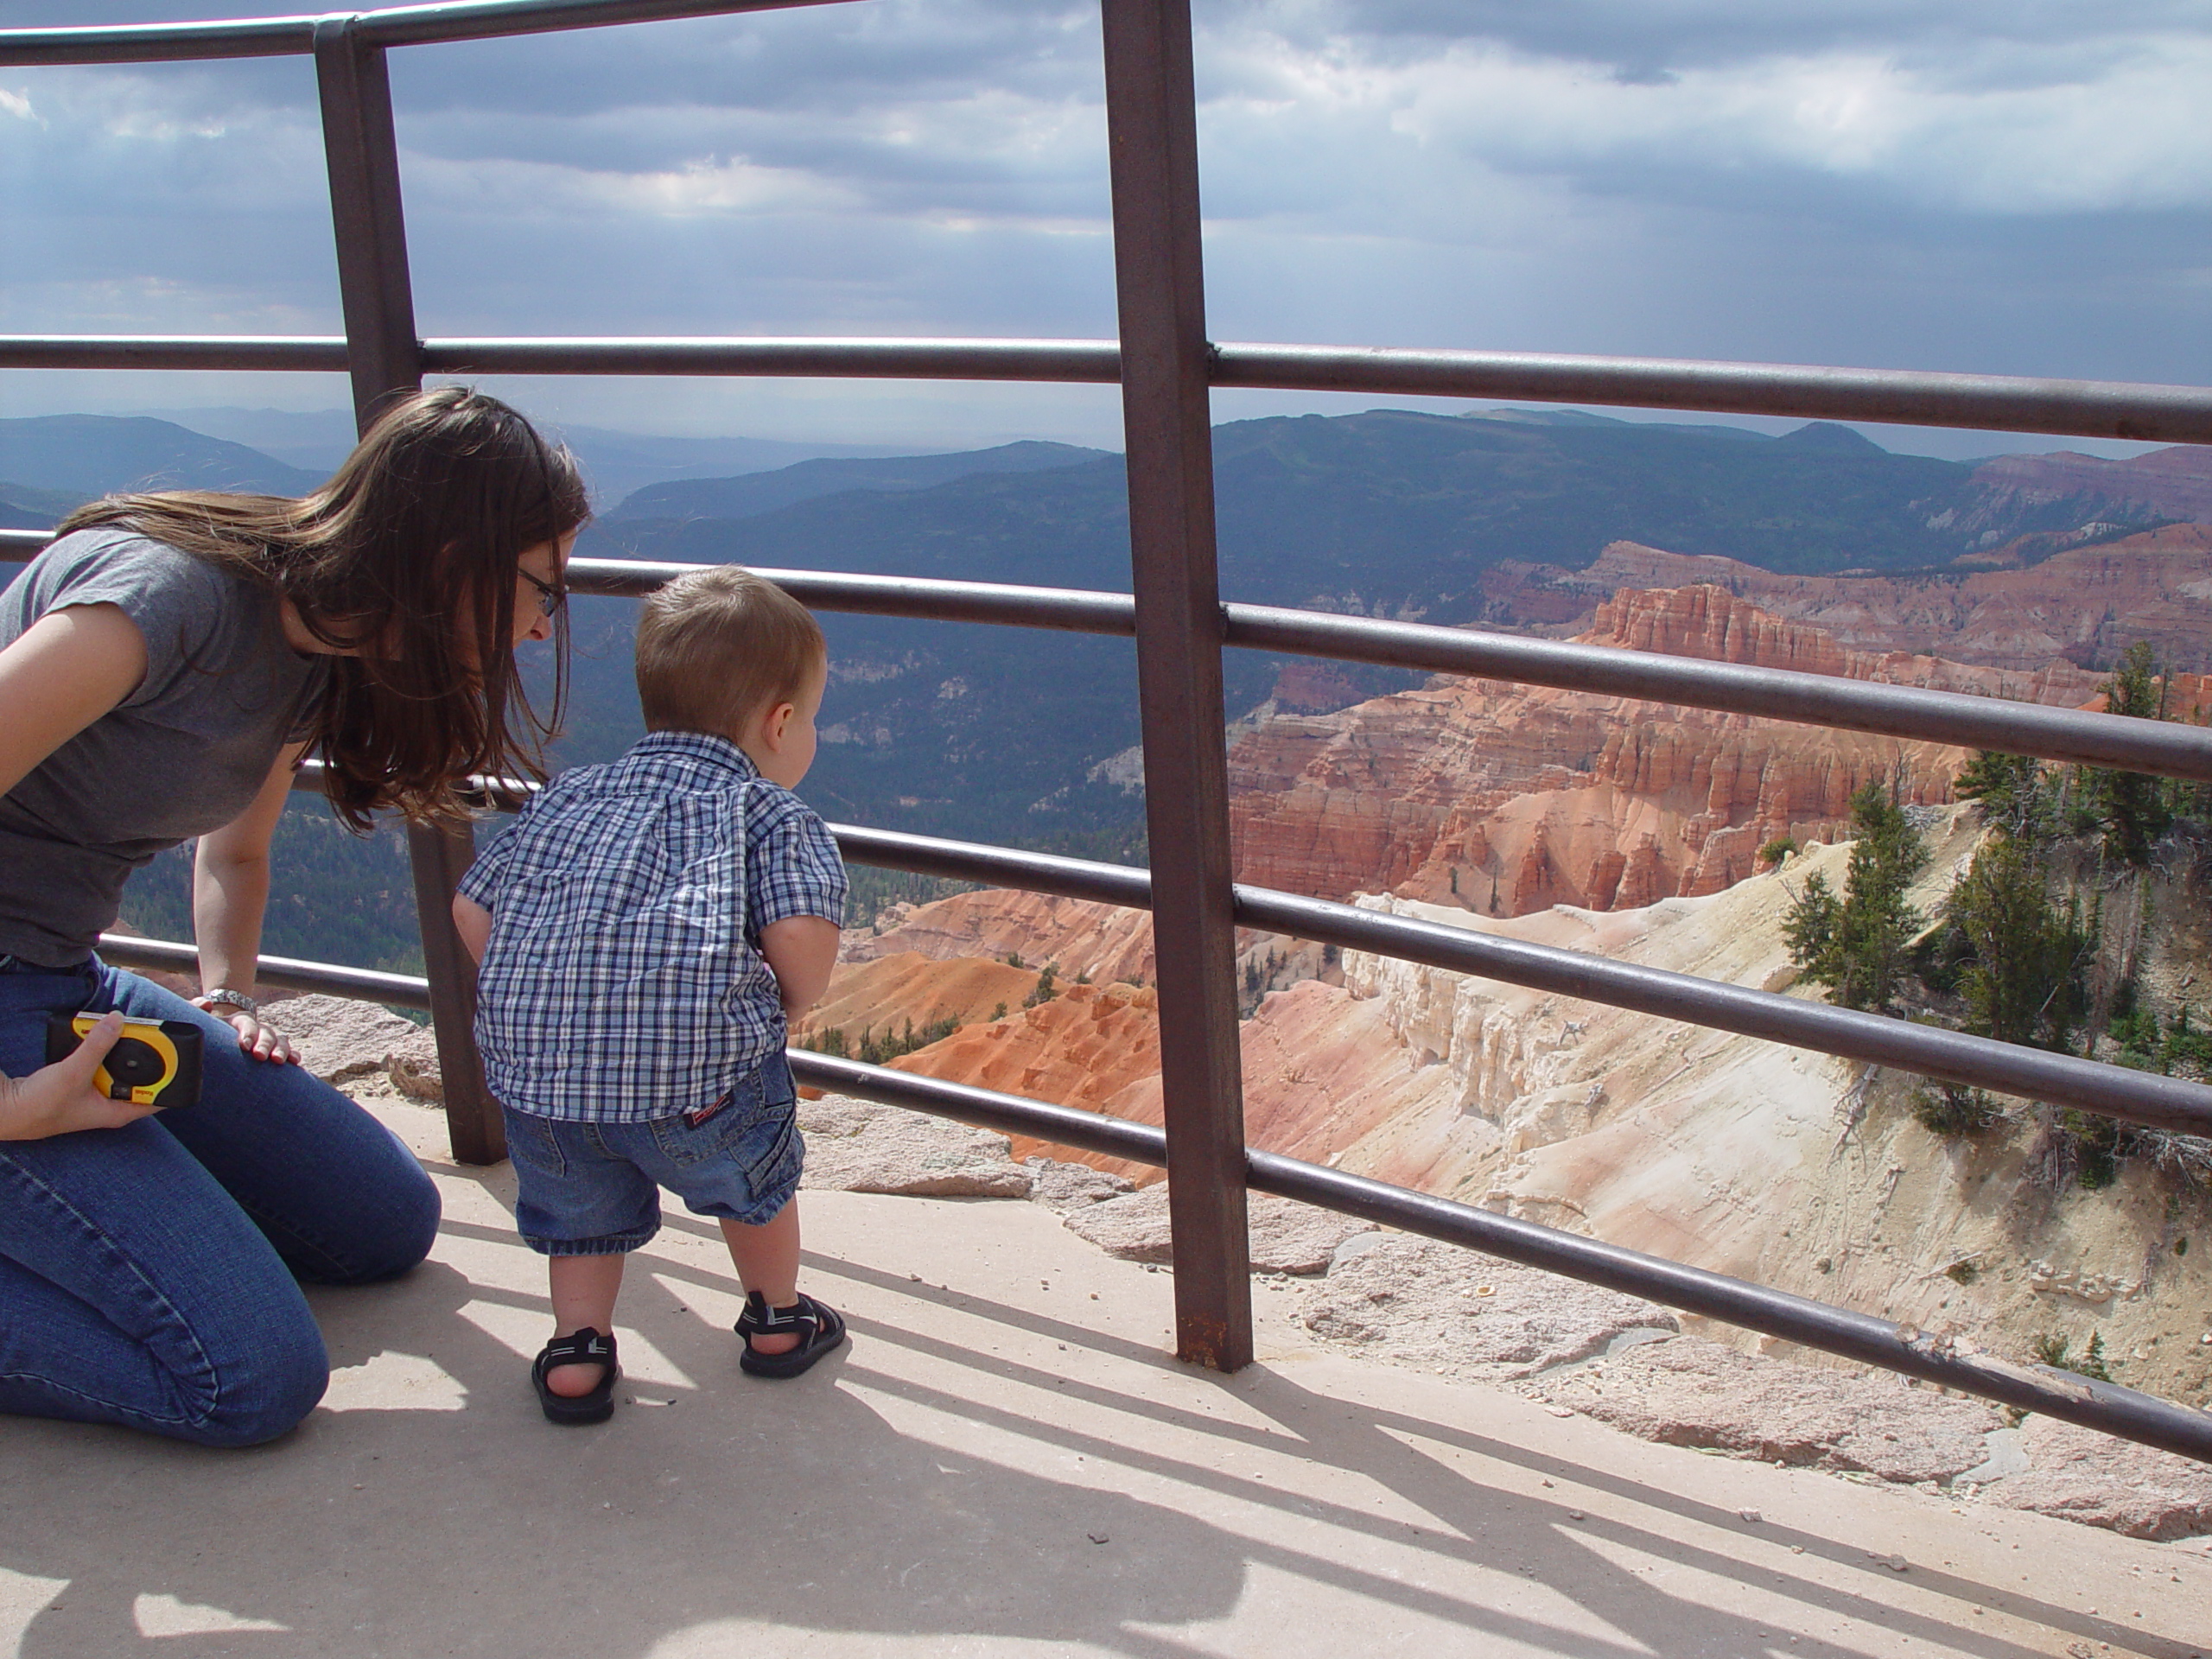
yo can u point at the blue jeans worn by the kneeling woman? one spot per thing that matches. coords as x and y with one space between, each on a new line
149 1273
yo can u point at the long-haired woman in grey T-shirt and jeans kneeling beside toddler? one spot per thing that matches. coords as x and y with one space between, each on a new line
163 669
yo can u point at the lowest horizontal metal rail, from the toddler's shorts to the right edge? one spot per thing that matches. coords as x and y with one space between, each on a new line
1693 1291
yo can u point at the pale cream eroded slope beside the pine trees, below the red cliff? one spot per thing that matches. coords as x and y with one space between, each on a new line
1762 1162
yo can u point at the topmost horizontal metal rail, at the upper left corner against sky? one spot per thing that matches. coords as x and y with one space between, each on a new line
149 43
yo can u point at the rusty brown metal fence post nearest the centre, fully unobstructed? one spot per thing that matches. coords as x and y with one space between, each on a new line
1154 136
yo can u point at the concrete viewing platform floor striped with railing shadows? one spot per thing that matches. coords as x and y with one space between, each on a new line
1003 1461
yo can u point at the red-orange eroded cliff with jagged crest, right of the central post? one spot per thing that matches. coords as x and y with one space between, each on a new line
1512 800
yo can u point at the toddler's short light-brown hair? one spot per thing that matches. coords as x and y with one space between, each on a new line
718 647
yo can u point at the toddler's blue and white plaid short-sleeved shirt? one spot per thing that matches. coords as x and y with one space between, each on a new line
625 974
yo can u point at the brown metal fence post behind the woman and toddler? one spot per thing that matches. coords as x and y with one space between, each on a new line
386 362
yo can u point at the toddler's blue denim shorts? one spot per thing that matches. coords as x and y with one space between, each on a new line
594 1189
